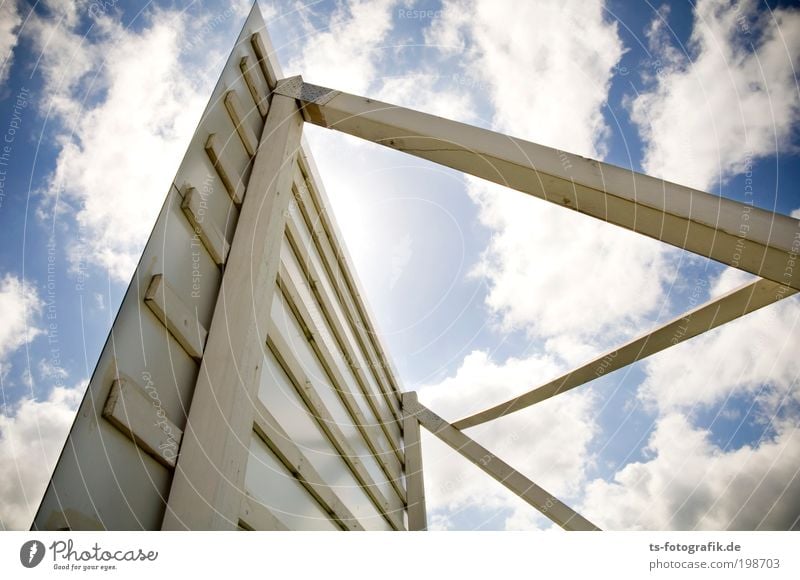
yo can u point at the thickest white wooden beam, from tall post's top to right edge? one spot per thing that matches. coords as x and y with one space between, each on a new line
739 235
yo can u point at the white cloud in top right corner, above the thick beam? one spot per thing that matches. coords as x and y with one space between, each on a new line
712 112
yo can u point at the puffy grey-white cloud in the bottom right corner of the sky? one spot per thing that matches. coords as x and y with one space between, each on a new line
690 483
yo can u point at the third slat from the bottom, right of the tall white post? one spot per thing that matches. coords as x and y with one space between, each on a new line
323 417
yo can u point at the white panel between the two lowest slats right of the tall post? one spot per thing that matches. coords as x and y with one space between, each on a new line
269 482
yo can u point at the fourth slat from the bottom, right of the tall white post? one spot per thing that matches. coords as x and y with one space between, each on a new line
390 468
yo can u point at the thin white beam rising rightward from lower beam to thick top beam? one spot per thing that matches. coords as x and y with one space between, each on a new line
714 313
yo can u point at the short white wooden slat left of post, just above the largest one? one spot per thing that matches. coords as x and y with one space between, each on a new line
178 318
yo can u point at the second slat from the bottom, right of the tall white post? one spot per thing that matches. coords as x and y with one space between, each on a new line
270 431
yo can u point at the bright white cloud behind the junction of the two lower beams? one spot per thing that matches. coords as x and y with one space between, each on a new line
548 443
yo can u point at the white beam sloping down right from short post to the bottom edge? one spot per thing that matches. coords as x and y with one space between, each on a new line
545 502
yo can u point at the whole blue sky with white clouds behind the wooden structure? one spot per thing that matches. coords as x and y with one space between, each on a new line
480 293
